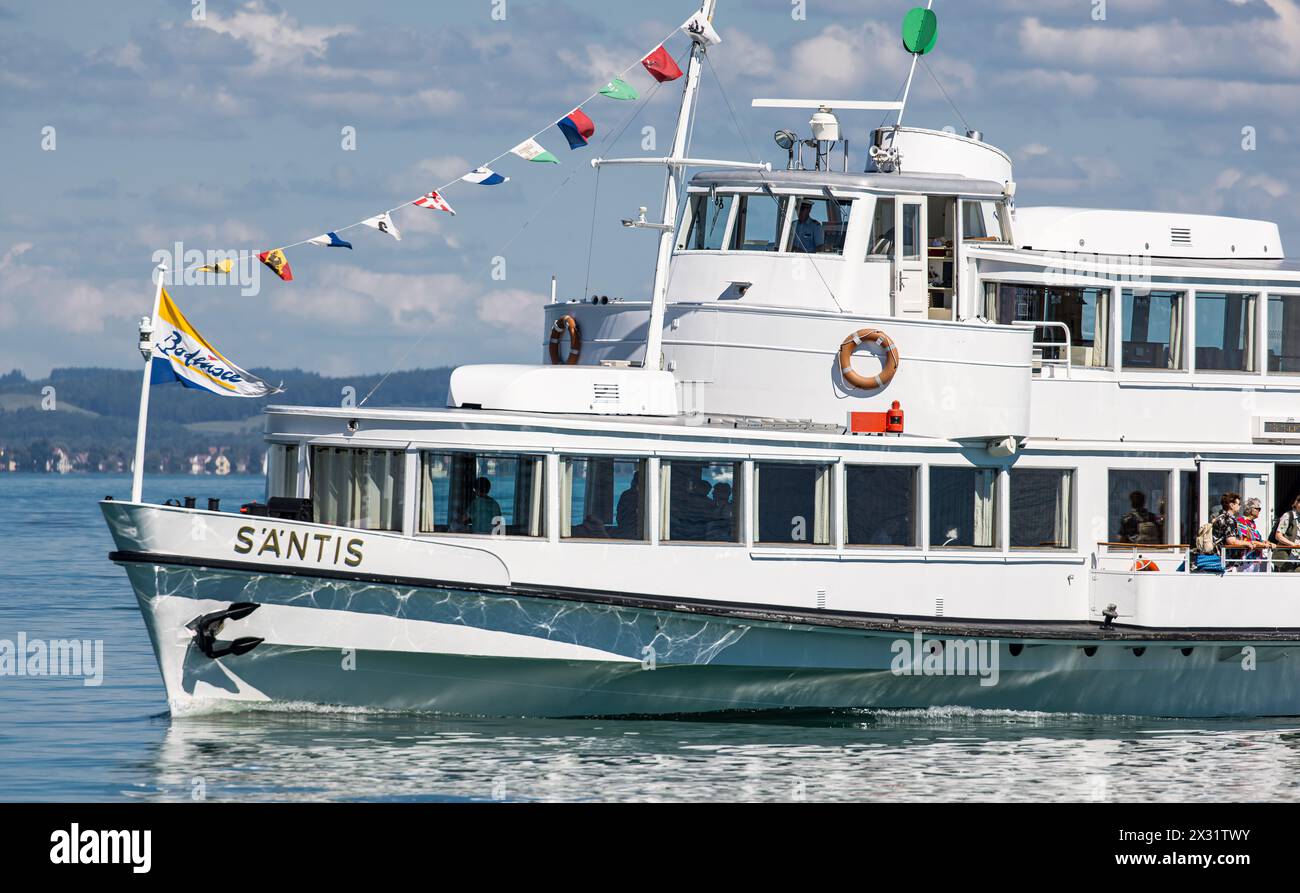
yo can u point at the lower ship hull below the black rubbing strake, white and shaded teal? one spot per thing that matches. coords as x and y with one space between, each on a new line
354 644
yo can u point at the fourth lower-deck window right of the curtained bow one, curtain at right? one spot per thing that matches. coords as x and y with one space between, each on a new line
794 504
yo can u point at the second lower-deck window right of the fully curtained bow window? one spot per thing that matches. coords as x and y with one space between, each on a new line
604 498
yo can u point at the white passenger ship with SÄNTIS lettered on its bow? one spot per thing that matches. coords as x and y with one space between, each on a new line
931 449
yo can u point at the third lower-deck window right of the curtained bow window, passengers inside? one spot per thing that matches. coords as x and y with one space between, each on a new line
700 501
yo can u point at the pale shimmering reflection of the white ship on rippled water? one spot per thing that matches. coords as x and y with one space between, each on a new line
887 757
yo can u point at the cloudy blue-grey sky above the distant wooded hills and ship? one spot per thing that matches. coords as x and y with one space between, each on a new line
226 135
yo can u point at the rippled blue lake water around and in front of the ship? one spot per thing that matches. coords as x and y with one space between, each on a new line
62 740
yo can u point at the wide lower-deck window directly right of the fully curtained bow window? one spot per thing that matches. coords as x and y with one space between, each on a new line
484 495
